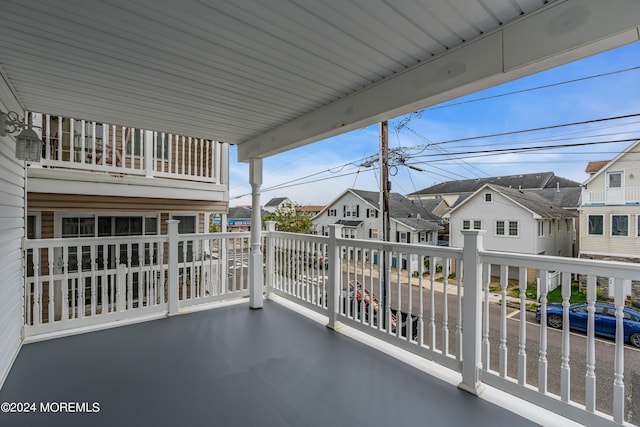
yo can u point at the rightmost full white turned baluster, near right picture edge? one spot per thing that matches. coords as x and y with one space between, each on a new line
618 375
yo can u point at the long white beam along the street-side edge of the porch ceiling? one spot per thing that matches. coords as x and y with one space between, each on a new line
561 33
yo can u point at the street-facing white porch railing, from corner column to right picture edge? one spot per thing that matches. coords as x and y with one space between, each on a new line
449 288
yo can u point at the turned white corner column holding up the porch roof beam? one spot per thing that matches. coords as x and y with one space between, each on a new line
256 275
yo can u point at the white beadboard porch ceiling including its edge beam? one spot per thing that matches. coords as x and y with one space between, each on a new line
274 75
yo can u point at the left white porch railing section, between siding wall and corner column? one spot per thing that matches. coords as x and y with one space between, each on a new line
73 283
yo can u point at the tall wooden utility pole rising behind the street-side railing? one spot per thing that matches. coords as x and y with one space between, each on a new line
385 186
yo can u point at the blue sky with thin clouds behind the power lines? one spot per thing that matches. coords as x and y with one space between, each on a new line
334 162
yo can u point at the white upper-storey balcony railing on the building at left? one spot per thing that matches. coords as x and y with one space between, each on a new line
91 146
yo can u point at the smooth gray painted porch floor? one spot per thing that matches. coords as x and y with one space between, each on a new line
233 366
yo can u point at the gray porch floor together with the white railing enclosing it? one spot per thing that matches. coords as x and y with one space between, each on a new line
287 367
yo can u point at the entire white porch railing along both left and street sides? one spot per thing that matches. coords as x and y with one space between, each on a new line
448 305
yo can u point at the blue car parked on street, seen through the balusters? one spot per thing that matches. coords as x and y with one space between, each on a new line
604 316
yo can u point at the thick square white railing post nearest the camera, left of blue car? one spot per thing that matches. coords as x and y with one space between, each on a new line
472 312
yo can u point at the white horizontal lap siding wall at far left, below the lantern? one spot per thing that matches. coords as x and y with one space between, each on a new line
11 233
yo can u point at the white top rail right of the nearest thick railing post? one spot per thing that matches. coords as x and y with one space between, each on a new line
600 268
